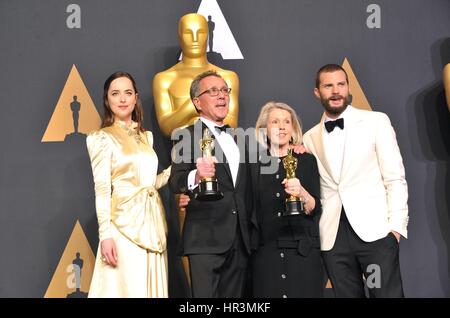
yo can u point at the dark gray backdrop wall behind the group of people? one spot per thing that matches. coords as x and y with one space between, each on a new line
46 187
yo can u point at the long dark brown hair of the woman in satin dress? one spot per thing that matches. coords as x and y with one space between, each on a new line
108 116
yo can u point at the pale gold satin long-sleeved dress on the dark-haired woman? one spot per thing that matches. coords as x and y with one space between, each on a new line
129 210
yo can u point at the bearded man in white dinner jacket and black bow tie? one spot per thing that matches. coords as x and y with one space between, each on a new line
363 191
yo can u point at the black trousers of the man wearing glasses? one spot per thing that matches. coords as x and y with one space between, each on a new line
220 275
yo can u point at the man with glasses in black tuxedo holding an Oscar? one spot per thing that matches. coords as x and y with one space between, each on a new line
215 233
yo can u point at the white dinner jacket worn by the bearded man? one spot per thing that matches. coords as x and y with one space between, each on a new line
372 186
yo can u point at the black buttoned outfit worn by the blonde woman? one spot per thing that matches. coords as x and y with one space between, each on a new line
286 261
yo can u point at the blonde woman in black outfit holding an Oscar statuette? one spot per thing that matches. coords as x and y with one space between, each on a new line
286 261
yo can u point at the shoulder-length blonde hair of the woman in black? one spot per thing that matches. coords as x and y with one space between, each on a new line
263 118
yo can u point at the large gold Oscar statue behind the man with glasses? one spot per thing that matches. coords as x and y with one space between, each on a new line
173 104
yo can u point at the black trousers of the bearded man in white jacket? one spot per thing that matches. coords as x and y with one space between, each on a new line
351 258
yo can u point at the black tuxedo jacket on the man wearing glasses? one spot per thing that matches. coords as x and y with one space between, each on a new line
211 227
